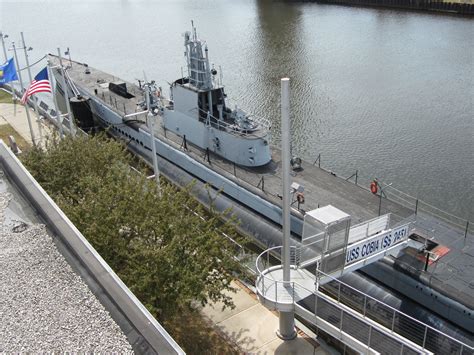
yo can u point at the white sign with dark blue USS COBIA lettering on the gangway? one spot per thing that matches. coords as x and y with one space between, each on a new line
373 245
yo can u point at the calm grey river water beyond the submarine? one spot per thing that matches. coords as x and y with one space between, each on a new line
389 93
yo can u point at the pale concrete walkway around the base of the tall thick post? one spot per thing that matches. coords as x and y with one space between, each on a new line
252 327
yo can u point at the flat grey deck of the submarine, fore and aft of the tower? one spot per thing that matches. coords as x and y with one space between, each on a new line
451 273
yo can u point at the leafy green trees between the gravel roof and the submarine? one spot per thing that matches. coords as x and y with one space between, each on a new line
170 251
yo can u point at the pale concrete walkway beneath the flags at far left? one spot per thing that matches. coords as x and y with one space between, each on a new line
15 115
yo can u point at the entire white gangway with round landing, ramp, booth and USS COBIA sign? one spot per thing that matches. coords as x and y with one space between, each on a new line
361 322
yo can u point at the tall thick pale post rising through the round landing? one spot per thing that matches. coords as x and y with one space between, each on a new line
287 319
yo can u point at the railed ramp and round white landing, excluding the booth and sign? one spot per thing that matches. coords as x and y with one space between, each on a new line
341 307
